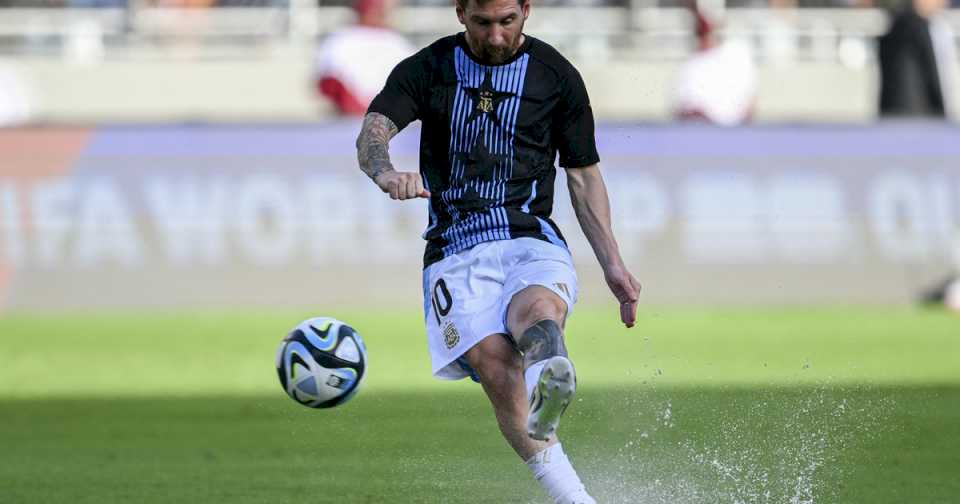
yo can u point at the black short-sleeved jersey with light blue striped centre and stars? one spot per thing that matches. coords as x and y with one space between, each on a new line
490 135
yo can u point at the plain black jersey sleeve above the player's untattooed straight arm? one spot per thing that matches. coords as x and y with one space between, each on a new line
576 142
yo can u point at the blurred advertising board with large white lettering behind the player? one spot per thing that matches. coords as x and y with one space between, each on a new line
224 216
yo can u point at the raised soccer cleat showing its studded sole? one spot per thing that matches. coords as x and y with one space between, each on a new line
551 396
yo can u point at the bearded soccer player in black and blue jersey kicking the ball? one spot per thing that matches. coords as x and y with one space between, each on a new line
496 107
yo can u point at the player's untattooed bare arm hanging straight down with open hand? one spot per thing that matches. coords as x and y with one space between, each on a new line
592 206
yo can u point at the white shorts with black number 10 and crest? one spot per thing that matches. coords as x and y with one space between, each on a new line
466 295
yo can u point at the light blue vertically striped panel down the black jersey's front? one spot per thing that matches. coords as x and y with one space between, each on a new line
492 224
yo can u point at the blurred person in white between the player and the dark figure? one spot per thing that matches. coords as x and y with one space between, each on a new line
718 83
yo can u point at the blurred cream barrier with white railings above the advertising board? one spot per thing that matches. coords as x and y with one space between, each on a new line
250 64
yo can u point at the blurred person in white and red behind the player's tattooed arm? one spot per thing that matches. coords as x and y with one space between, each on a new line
353 63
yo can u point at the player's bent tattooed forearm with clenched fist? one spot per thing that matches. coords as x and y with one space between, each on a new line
373 154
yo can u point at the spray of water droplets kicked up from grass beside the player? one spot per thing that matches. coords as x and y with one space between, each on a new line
764 448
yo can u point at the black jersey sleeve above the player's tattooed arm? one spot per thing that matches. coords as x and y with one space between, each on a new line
403 95
